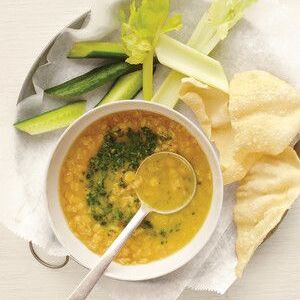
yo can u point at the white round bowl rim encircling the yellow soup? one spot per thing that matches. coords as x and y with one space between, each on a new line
77 249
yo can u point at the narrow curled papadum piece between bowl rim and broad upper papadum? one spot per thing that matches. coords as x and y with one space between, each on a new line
211 109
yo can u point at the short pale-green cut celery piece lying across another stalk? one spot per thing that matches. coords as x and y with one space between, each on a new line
190 62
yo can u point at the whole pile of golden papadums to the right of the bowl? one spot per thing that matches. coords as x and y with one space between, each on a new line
254 128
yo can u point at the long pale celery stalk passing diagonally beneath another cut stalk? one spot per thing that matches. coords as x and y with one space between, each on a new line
212 28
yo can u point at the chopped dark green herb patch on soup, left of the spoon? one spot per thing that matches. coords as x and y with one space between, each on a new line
120 150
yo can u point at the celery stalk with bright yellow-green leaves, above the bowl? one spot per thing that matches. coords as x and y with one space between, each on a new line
140 30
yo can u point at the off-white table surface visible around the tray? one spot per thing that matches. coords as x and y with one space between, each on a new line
25 28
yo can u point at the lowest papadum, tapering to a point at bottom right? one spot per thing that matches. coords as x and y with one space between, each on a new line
264 195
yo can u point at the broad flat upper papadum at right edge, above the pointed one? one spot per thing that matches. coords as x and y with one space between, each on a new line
265 113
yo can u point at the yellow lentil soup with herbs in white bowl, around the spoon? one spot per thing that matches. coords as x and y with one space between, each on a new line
98 185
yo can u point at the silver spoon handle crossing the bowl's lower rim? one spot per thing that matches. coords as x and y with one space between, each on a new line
88 283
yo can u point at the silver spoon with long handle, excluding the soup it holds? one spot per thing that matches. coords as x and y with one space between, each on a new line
88 283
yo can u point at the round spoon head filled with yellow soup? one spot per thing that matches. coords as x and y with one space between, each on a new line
166 181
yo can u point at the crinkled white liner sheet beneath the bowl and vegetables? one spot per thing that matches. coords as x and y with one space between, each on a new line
267 39
